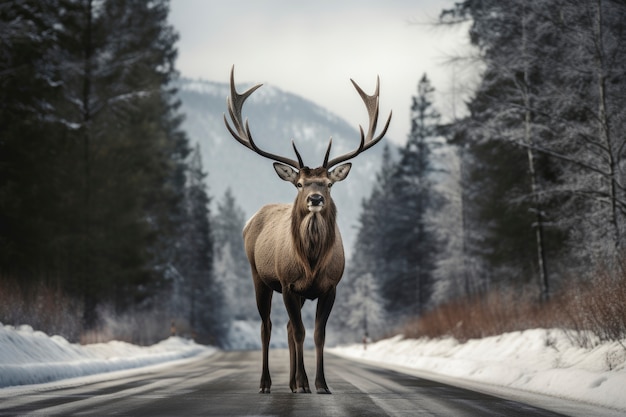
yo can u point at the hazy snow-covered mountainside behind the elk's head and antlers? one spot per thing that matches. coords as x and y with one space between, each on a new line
275 118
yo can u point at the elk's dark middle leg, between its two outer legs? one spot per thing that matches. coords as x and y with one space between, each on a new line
298 381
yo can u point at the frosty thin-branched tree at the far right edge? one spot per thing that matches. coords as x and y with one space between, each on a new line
588 140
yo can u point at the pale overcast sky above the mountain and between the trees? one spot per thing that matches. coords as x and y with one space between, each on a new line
312 48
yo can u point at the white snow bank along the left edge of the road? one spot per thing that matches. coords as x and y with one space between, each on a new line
32 357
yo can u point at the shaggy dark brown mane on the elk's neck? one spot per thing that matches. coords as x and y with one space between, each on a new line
313 236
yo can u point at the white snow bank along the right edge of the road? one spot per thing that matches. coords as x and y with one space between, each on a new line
540 361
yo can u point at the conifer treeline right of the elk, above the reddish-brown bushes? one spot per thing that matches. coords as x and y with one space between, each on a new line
531 196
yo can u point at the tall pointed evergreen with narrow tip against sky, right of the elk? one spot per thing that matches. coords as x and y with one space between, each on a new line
411 252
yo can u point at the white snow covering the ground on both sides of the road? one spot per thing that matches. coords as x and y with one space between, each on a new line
539 361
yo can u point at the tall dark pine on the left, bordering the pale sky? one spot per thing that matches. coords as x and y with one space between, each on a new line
124 63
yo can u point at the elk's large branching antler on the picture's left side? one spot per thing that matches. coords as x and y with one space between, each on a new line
241 132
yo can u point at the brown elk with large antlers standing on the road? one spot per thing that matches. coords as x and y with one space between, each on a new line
296 249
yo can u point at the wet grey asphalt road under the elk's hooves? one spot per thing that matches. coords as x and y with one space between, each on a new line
226 384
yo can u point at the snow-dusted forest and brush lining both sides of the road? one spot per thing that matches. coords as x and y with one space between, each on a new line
509 217
